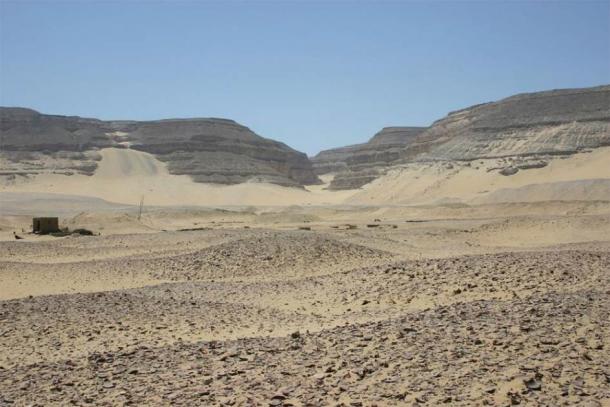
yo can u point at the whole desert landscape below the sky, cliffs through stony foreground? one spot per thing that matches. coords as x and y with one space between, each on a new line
465 263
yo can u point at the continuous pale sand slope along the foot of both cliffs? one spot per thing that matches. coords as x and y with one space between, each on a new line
125 176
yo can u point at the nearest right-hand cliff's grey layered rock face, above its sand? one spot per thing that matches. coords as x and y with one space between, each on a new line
551 122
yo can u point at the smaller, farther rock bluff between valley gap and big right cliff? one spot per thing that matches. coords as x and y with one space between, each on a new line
359 164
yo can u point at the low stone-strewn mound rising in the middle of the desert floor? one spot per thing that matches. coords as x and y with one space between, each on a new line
268 255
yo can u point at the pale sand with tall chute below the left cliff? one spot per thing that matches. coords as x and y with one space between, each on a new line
125 176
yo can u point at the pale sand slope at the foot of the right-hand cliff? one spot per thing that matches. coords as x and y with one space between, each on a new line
476 181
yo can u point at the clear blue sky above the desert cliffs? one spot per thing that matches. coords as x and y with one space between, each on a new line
311 74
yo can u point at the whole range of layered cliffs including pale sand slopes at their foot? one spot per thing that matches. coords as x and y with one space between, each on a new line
542 146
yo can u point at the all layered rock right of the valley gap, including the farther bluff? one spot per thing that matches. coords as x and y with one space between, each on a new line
523 132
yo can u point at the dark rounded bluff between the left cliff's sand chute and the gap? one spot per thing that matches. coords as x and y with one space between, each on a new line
221 151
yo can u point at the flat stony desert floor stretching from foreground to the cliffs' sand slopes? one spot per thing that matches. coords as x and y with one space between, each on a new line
494 304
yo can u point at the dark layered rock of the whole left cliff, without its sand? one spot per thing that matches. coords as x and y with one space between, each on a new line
209 150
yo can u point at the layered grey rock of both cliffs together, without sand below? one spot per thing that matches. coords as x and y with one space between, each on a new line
521 132
